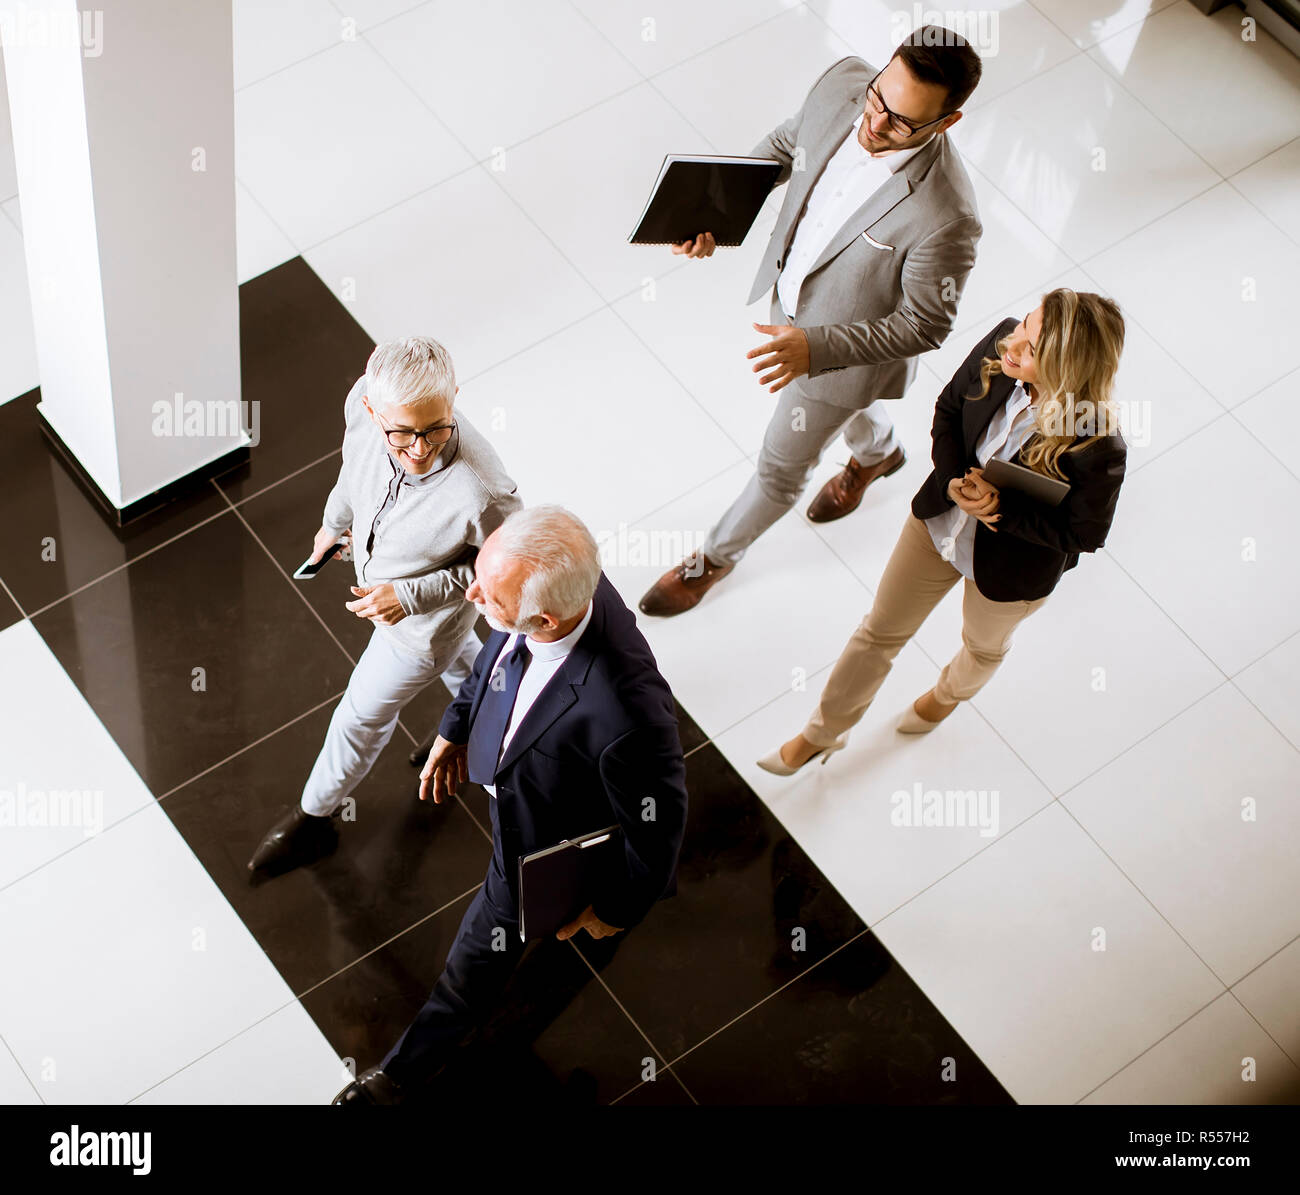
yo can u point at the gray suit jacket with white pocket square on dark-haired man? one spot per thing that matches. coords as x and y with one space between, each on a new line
870 309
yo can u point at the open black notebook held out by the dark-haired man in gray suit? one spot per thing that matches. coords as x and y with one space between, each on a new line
694 196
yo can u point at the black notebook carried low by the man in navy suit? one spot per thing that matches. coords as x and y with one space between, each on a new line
558 884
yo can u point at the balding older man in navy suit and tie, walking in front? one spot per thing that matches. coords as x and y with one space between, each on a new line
569 726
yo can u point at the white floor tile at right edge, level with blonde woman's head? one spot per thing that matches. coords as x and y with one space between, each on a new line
1197 291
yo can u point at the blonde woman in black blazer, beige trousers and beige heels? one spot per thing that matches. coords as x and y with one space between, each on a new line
1038 393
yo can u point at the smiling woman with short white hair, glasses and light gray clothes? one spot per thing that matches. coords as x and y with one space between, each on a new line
419 493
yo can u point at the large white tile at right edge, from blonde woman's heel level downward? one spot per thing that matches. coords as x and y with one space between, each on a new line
1171 815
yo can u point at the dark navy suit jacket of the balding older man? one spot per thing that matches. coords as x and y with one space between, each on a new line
597 747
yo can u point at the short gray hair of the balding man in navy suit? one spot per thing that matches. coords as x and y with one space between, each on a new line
564 561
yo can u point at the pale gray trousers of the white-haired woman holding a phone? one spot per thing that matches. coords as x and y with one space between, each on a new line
384 681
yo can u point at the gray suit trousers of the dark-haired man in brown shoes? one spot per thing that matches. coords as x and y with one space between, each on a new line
798 436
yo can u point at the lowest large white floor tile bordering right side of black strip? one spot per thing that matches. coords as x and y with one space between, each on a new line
1007 949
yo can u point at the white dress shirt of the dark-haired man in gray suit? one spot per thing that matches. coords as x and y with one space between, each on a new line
850 180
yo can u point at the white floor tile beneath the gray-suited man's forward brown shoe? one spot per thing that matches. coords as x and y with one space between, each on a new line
785 613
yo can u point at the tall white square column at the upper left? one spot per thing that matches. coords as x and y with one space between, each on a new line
124 144
